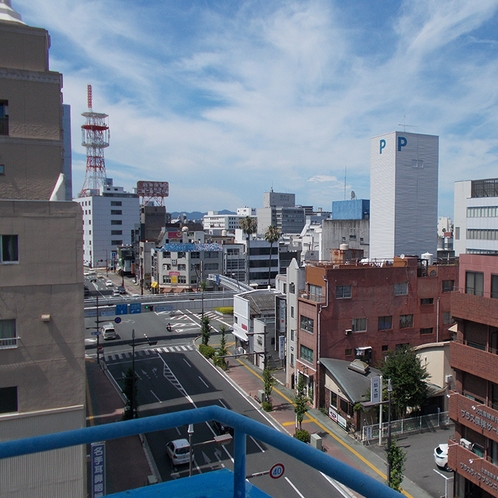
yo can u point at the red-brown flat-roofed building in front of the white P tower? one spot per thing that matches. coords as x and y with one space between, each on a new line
360 311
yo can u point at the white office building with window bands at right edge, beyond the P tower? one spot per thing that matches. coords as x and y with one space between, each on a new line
476 217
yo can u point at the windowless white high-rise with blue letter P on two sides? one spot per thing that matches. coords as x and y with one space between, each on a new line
403 194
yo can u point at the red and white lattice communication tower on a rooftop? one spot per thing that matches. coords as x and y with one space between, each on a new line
95 137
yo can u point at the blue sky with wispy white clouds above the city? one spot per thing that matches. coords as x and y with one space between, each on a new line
227 99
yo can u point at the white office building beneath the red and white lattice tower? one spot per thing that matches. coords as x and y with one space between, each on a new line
108 221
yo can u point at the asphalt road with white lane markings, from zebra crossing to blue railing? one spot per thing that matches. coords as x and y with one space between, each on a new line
176 380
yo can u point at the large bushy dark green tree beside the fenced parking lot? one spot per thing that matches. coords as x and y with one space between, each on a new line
408 376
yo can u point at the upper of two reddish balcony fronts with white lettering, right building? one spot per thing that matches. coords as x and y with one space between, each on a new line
478 417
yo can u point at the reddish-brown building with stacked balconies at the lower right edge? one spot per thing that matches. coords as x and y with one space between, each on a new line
473 453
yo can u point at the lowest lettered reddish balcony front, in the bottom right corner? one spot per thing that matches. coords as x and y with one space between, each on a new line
473 467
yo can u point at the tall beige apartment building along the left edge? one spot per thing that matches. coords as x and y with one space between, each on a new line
42 368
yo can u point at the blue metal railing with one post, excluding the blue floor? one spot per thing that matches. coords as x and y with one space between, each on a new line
349 476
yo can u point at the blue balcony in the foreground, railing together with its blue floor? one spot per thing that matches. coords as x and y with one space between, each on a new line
219 484
